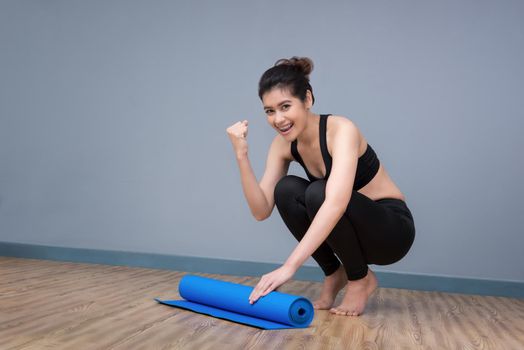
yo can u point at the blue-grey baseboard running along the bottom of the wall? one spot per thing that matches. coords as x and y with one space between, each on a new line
249 268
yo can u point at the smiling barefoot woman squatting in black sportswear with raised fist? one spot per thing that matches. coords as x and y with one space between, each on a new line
346 215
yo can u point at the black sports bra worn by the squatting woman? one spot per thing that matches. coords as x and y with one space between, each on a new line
368 163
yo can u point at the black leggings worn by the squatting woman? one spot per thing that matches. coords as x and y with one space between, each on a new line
369 232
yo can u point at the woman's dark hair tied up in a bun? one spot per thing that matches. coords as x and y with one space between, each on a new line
292 74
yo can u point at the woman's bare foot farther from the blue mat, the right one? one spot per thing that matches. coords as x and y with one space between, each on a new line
357 294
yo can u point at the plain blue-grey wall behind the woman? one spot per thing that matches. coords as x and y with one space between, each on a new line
113 118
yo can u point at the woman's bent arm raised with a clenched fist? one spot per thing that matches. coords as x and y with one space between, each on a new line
259 196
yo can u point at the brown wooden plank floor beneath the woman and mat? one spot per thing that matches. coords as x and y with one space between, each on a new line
58 305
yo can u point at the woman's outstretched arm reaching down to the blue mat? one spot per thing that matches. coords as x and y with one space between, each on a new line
338 193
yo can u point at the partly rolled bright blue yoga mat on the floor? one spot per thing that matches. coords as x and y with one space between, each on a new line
230 301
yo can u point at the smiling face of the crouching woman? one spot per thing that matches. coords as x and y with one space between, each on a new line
286 113
